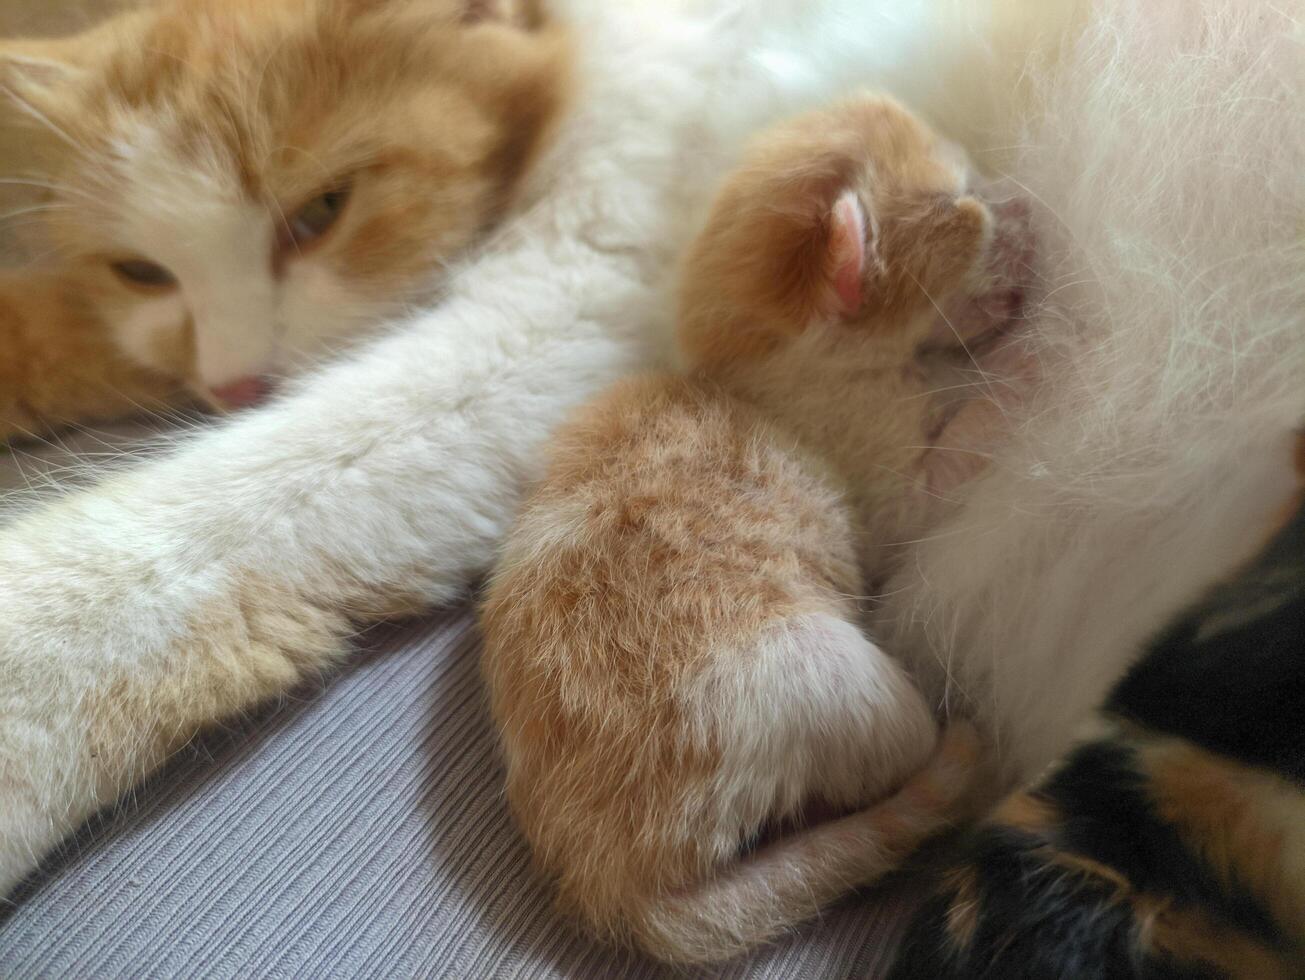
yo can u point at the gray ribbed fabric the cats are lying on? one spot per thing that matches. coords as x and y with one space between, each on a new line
356 831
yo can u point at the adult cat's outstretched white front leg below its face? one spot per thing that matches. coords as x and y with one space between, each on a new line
199 587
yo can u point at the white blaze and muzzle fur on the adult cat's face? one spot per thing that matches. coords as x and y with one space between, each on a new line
195 220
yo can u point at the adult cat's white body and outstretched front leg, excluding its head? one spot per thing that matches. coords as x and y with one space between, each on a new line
209 581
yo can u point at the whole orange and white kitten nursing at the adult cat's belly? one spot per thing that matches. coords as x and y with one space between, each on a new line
673 644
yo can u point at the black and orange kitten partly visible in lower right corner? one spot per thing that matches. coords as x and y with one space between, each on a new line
1174 844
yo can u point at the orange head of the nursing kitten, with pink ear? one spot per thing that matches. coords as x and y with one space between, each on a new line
859 212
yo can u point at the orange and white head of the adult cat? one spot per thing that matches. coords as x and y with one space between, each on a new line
242 185
